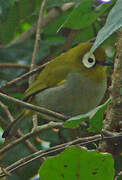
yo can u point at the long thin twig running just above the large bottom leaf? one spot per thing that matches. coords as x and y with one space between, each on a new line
44 153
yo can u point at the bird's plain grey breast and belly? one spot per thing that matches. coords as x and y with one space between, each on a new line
77 95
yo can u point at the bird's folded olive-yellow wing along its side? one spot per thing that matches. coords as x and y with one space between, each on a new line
49 77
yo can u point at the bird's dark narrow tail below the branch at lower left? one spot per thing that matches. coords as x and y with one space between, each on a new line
12 126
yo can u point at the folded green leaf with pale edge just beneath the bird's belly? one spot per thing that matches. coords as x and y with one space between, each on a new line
95 118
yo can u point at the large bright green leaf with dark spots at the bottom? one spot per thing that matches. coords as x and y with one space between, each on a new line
78 163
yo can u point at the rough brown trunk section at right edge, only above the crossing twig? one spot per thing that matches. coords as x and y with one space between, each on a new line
114 112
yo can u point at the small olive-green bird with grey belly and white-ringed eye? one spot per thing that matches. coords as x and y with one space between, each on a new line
72 84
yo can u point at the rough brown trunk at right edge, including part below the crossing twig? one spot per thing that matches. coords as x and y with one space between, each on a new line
114 111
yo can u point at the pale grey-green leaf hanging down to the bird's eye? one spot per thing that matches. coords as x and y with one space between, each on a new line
113 23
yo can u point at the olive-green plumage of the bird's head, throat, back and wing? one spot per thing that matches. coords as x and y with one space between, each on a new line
71 61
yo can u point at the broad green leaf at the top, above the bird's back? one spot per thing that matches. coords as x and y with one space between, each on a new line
82 15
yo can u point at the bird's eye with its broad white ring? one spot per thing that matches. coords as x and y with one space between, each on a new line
89 60
